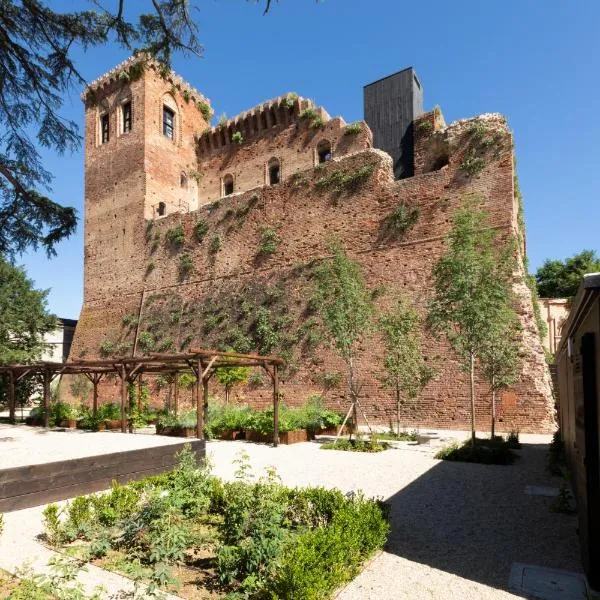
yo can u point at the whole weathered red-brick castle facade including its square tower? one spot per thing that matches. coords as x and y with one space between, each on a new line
136 289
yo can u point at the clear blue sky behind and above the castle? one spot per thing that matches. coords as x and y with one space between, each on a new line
535 61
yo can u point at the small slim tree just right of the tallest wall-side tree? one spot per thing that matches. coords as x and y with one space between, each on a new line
499 355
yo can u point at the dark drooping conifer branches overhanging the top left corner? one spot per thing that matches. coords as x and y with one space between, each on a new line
37 69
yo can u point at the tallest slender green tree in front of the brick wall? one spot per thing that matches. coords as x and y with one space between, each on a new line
470 286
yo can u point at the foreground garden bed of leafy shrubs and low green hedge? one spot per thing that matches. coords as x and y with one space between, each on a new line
249 538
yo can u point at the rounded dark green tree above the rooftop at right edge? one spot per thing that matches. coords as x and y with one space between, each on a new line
561 278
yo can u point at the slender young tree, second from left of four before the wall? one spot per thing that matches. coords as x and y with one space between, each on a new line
405 369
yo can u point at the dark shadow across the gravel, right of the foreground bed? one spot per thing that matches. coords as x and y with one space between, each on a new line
475 520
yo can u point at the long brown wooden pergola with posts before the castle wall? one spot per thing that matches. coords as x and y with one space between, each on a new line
202 363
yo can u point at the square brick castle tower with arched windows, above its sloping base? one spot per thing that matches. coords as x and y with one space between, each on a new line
139 163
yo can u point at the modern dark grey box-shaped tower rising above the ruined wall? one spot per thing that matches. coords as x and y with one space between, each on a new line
391 105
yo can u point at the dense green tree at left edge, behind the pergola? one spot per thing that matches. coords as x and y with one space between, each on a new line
25 318
